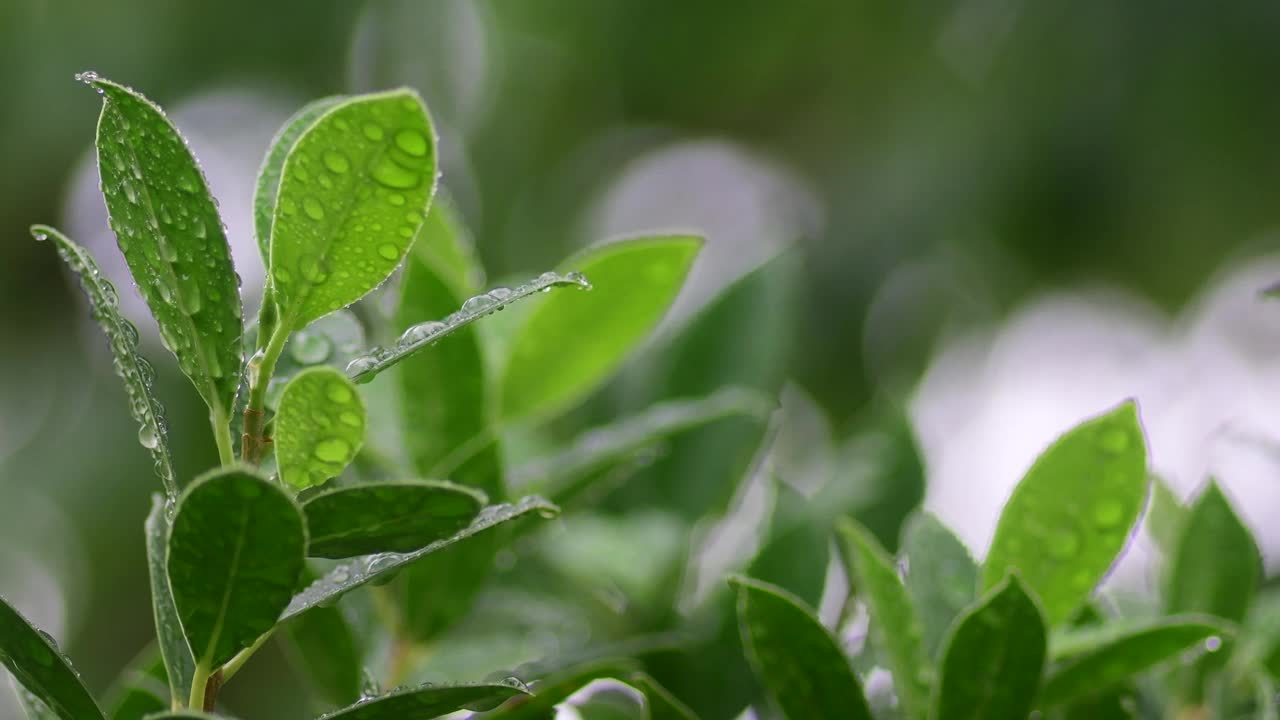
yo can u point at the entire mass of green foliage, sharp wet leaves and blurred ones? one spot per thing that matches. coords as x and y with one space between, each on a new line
381 511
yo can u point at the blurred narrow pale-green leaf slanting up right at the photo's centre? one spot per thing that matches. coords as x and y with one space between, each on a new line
569 473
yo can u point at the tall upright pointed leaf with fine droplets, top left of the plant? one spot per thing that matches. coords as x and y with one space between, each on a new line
173 240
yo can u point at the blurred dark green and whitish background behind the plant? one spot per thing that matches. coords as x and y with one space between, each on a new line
990 218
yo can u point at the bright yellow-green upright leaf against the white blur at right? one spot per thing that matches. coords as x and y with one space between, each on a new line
1071 516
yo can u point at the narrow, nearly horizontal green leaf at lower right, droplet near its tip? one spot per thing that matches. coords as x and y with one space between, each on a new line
1135 651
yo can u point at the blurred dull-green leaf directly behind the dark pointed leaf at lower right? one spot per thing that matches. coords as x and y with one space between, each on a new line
941 578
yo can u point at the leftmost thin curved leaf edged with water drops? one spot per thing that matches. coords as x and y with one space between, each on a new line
124 340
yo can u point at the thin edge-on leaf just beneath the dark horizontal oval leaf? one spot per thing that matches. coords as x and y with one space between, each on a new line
351 576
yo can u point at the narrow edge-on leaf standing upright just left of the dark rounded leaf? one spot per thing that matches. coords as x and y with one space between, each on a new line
180 666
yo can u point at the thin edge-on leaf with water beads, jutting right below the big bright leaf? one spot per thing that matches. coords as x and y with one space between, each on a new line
420 336
